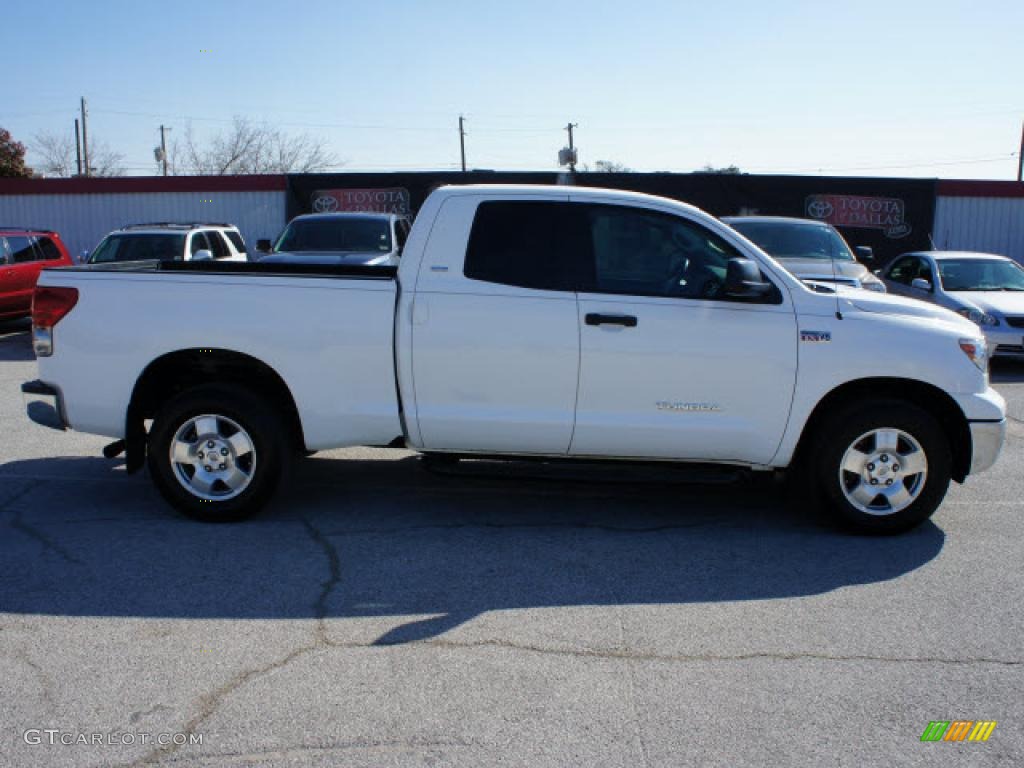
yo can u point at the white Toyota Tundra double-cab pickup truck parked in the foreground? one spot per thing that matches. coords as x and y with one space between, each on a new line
552 322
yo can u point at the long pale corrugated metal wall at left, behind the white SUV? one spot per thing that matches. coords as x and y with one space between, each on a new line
82 221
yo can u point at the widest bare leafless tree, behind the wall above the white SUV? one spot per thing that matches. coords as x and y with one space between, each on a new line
250 148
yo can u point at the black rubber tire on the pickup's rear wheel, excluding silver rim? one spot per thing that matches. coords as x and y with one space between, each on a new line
267 463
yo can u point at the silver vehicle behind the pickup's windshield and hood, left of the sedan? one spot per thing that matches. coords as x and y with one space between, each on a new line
812 250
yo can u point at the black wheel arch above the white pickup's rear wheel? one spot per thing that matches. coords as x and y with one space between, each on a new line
176 372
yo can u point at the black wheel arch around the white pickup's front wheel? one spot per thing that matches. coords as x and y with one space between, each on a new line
938 403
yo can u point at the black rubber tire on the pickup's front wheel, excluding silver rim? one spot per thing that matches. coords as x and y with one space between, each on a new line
841 433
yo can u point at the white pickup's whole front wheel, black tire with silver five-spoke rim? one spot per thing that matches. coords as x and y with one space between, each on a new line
883 466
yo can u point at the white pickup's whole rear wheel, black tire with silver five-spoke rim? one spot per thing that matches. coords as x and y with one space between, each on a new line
216 454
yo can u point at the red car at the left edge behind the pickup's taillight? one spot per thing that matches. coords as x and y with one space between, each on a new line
23 254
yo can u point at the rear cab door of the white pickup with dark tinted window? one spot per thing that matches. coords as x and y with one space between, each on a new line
496 345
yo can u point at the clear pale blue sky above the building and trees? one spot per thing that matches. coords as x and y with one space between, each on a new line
861 89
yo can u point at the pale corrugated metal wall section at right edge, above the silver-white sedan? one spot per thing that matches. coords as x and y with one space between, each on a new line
977 224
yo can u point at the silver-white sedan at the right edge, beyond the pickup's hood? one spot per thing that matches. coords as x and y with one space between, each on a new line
987 289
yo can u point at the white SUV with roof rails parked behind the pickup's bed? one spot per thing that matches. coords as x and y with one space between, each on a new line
169 242
